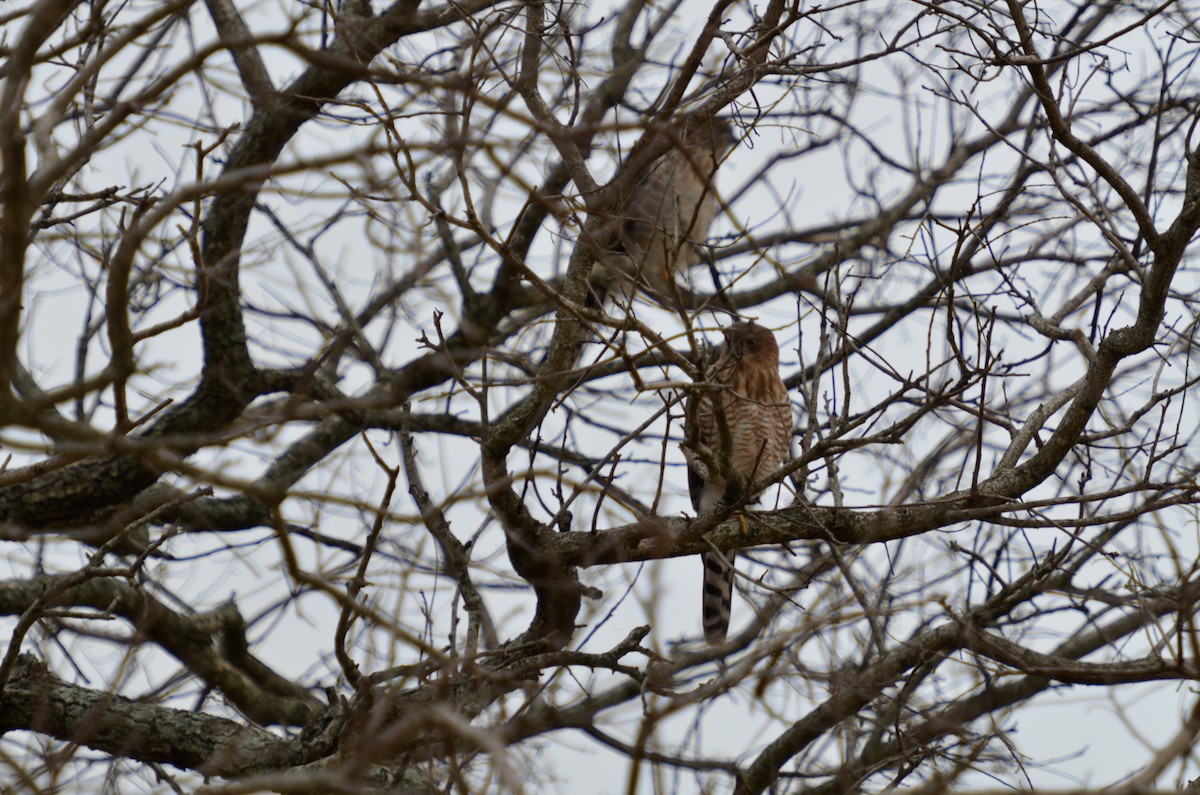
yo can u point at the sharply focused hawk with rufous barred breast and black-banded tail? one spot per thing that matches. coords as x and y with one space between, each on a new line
743 392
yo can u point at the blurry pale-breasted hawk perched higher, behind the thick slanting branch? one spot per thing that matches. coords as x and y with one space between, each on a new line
663 222
